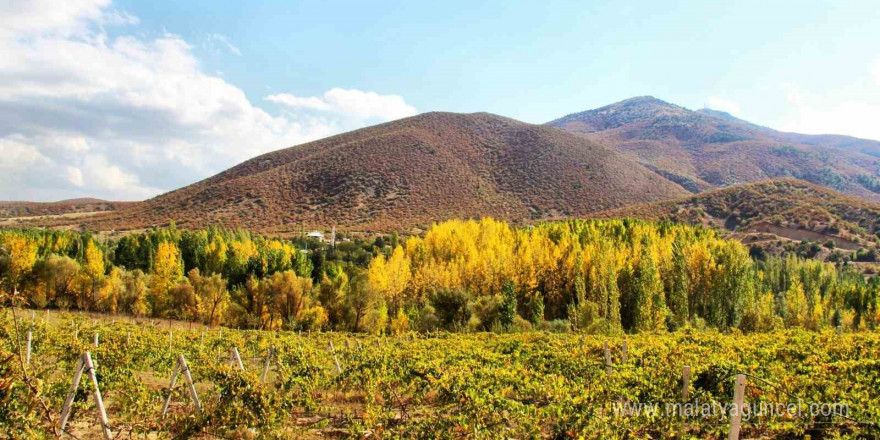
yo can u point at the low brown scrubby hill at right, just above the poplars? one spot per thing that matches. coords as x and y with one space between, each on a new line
782 208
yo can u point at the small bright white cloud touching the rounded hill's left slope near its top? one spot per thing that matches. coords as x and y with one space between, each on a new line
355 104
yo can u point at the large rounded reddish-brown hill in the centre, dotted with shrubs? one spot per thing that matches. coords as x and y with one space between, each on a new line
407 173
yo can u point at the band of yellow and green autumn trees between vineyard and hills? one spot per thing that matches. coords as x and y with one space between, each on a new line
607 276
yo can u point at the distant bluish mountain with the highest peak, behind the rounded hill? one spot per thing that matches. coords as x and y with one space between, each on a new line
706 149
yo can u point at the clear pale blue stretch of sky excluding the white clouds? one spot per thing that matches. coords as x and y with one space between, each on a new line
535 61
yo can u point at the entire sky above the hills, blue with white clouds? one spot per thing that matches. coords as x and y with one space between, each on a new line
125 99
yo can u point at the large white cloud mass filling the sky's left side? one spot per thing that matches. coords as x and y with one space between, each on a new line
128 117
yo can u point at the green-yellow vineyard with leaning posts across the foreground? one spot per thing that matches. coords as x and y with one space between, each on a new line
437 385
